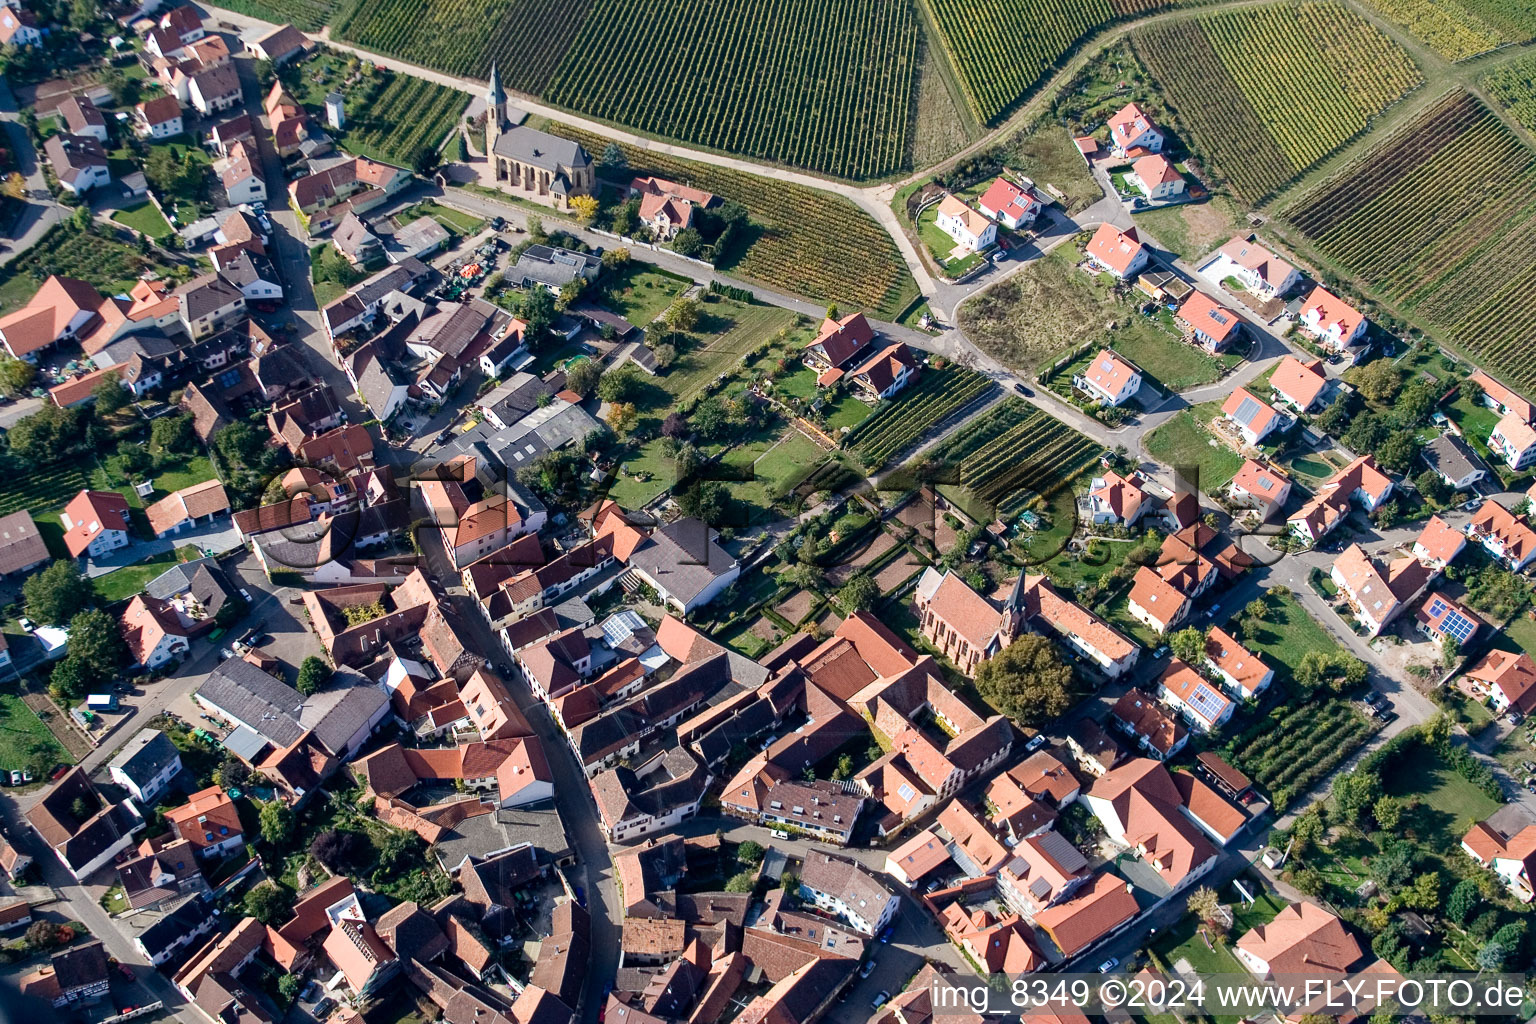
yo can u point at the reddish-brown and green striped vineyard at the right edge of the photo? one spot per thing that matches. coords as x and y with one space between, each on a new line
1463 266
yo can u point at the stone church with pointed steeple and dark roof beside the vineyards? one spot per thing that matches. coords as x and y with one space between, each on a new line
529 164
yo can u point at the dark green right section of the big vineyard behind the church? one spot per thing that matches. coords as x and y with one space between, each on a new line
816 84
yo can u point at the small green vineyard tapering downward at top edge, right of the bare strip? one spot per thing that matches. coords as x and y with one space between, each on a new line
1004 48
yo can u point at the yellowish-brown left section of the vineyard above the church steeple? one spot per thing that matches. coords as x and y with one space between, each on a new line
526 39
